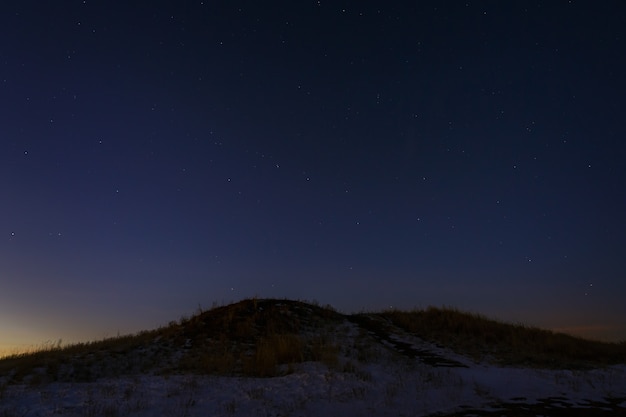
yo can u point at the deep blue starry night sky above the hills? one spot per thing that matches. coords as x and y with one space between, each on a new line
160 156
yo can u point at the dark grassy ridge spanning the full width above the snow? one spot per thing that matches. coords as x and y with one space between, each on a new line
267 337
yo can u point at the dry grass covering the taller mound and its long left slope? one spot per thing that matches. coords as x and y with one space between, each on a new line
252 337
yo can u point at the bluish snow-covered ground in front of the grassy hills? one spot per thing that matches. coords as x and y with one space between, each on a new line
387 384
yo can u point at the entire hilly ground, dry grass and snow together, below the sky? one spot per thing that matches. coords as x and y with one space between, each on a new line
432 360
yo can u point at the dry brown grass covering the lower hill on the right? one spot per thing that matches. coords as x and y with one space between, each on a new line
479 337
